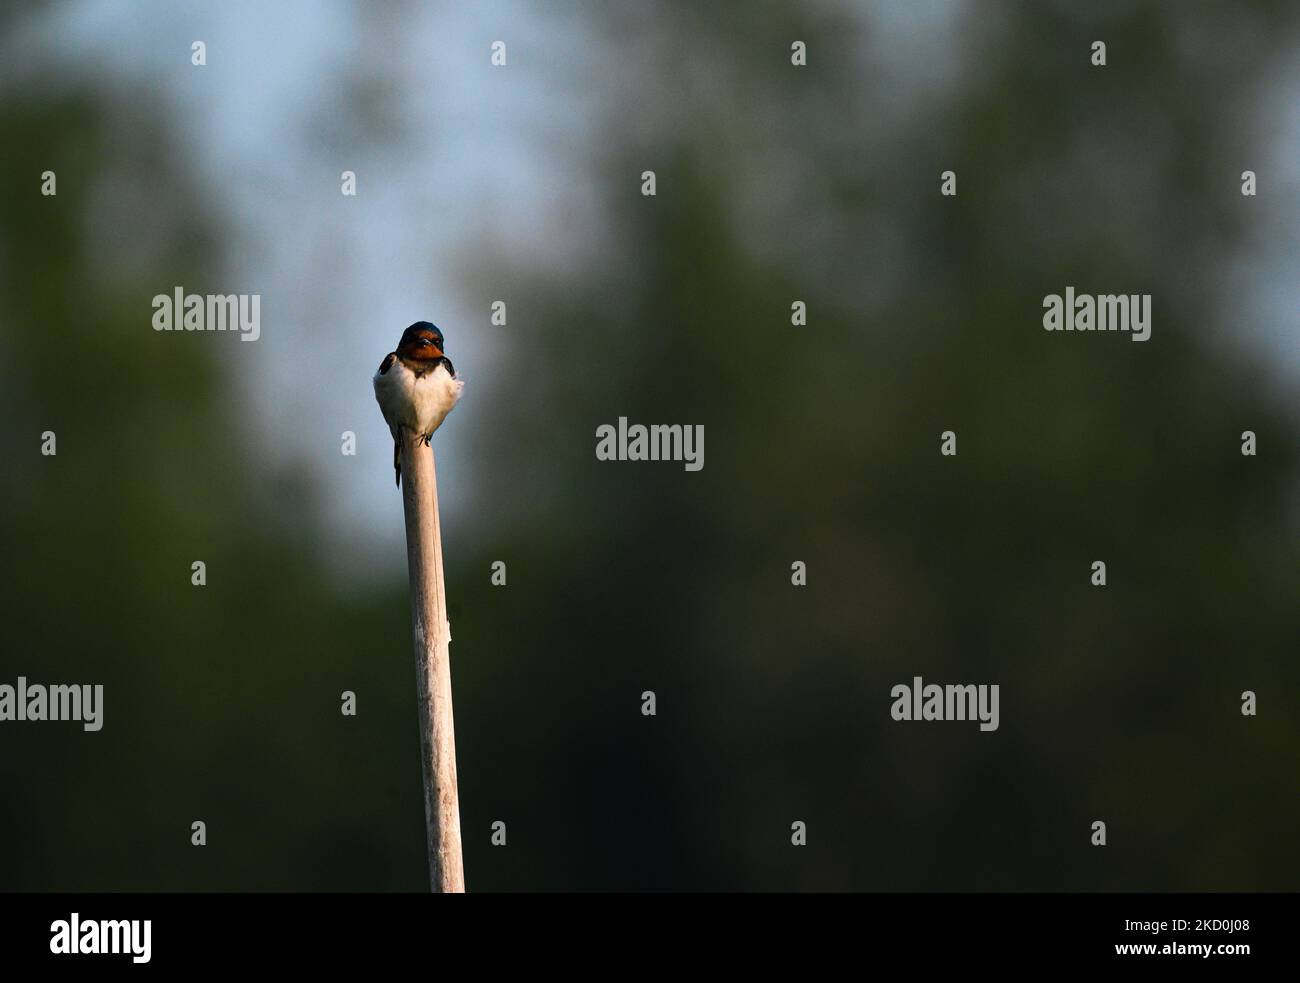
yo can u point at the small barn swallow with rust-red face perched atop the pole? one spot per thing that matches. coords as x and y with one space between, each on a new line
417 387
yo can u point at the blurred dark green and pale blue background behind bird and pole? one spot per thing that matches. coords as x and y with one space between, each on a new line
775 184
